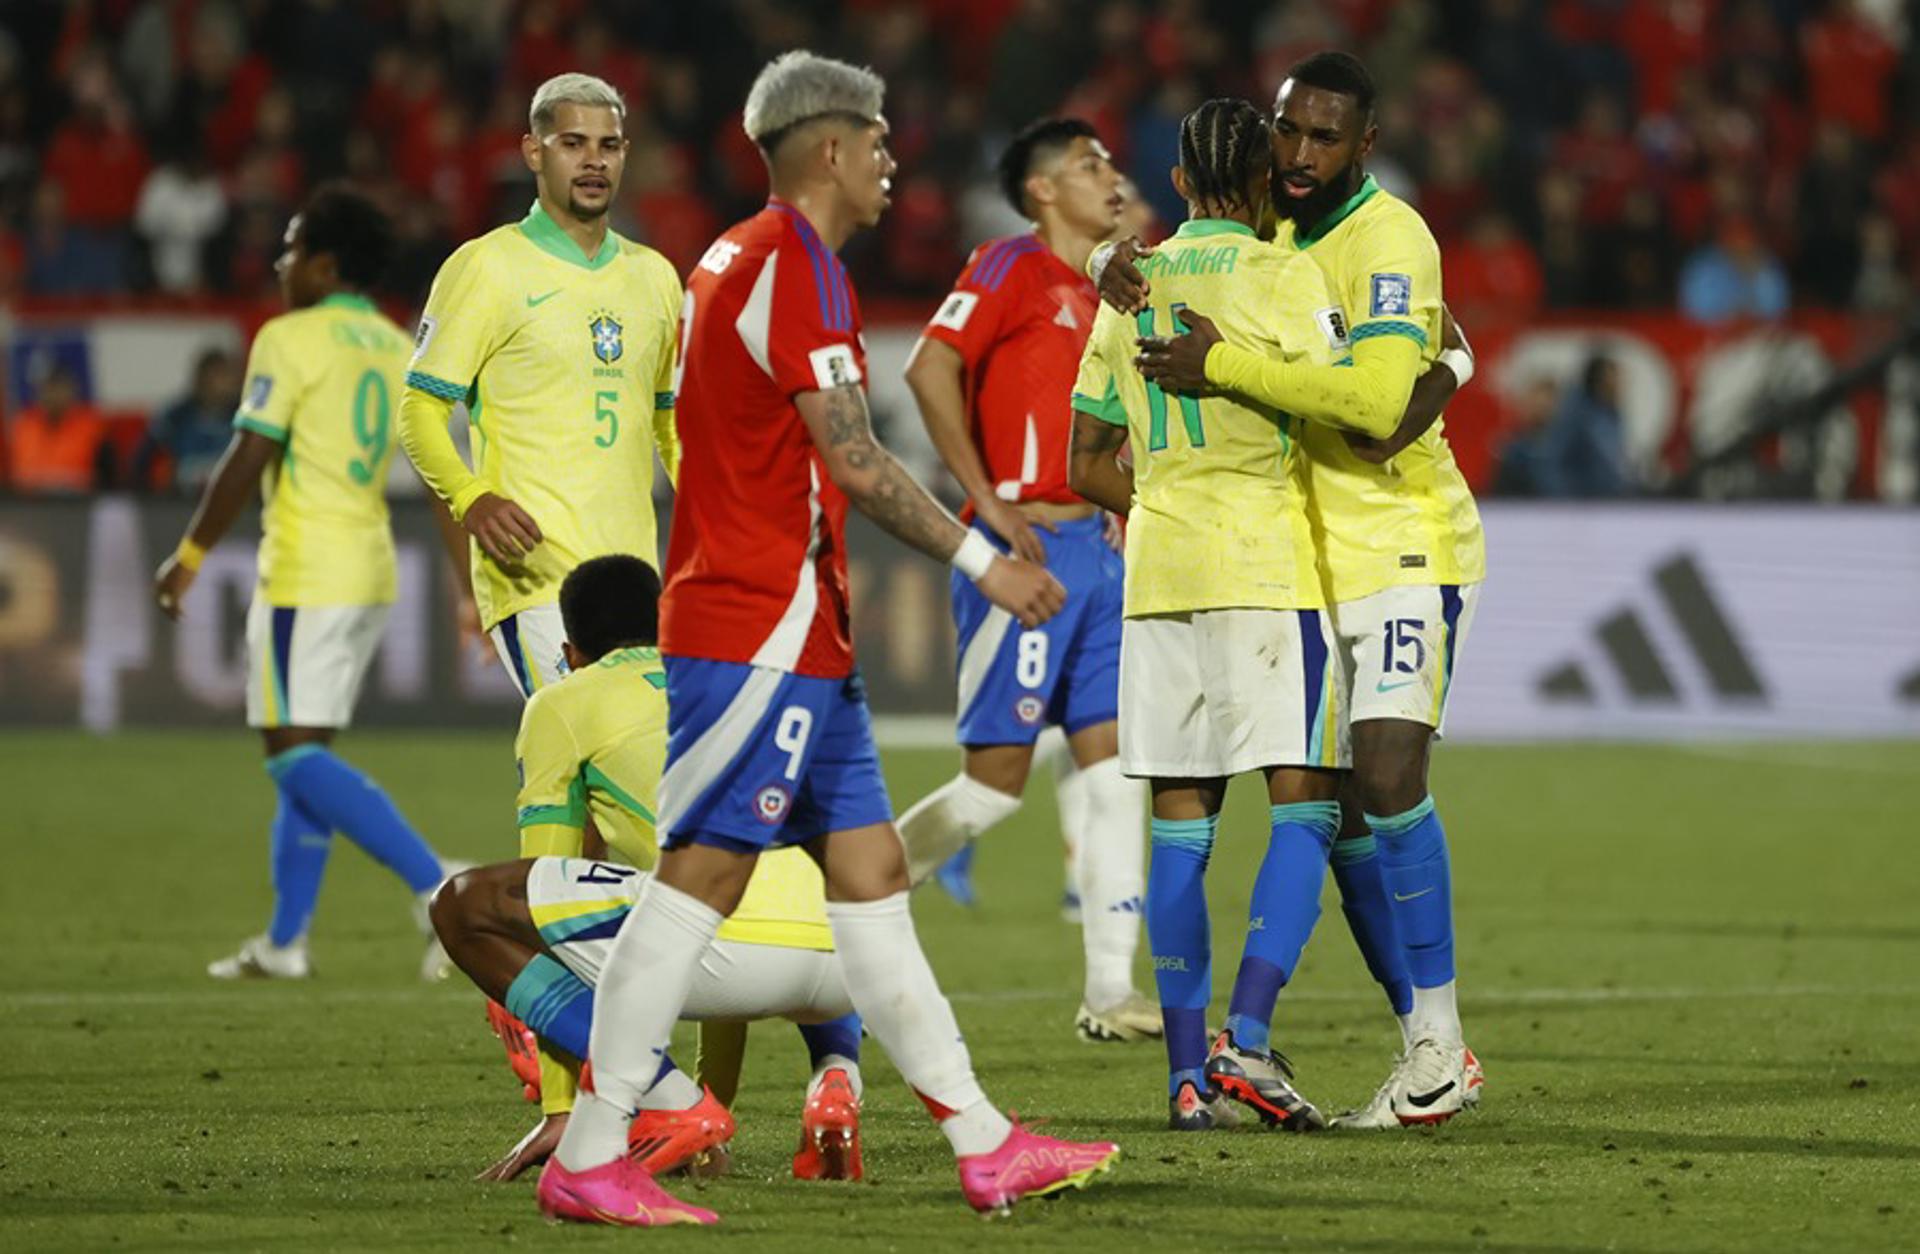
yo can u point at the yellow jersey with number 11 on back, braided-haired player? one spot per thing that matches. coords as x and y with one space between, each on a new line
1218 483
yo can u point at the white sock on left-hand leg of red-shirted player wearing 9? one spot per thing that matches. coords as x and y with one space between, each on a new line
635 1011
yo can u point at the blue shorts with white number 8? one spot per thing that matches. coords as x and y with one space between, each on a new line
1063 673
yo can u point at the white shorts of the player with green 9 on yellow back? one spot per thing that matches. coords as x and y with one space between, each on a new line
304 663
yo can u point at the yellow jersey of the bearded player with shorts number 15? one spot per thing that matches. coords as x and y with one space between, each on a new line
1410 521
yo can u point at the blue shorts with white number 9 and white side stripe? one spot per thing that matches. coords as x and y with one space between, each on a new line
759 758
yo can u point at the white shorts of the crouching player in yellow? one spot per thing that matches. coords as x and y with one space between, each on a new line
579 907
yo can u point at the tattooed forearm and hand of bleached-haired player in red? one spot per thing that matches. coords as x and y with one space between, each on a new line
882 489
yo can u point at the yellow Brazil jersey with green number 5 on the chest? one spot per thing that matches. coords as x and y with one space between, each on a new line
567 370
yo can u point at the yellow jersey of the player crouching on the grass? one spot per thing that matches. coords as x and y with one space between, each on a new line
596 744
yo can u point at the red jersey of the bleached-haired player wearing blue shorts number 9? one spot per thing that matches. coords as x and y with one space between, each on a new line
757 564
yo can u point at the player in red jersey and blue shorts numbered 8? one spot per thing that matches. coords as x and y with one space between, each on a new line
994 375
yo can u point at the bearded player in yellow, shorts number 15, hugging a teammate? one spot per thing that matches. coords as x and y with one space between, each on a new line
1399 533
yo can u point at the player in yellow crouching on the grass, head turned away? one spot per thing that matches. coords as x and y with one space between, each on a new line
535 934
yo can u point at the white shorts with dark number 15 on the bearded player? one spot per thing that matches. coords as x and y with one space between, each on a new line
1399 648
